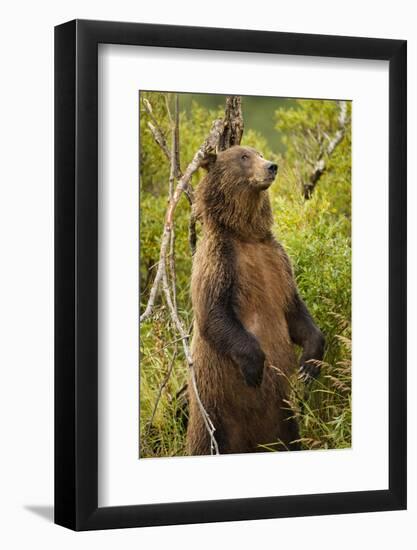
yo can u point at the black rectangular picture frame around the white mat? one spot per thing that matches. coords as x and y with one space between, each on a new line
76 272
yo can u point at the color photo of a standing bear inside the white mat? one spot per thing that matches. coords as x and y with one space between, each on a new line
245 274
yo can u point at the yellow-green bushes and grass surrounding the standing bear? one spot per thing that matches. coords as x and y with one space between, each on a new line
315 232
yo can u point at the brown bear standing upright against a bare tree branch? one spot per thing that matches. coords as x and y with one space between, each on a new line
248 313
